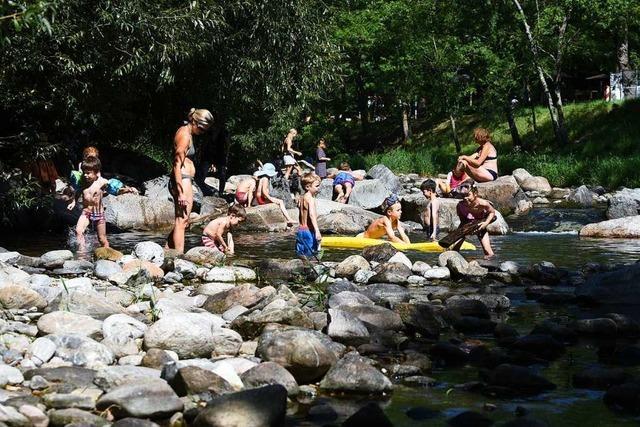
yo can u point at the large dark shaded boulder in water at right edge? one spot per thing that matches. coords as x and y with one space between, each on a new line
619 286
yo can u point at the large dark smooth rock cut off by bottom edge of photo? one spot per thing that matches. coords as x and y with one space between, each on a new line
260 407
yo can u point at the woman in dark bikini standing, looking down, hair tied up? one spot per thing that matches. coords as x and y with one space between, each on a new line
183 172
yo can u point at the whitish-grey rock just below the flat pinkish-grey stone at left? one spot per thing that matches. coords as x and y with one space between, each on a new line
81 350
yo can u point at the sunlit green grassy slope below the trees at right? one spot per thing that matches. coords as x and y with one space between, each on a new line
604 149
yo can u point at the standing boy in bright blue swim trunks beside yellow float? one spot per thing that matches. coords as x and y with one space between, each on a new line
308 236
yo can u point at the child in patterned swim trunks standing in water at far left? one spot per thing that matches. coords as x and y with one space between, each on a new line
92 211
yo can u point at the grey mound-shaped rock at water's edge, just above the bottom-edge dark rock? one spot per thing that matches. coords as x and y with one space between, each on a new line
354 375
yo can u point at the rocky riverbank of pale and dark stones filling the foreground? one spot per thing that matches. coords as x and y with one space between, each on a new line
150 338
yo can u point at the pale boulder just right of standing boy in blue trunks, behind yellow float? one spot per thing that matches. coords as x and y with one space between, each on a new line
338 218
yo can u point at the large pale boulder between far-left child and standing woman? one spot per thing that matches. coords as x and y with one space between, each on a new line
135 212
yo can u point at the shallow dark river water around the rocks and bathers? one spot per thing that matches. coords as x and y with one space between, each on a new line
565 406
